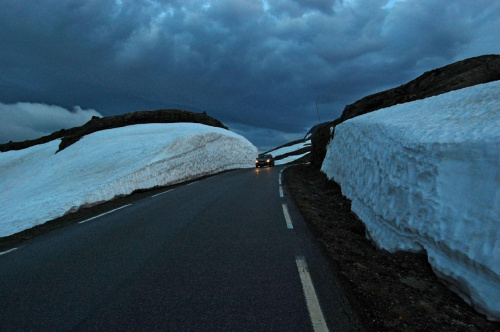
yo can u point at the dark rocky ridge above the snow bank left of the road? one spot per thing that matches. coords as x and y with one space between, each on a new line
72 135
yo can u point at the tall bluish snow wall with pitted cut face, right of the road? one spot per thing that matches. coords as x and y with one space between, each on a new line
425 175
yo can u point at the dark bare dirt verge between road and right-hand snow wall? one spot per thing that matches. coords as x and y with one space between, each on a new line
389 292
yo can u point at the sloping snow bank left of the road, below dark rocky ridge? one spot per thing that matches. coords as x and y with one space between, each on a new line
38 185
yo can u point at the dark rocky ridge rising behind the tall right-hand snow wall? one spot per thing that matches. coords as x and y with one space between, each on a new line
458 75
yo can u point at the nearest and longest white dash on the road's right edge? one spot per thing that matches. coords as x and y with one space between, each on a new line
317 318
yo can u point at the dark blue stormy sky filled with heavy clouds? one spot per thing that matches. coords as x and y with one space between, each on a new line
257 66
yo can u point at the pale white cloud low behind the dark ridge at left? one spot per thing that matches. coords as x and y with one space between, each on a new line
22 121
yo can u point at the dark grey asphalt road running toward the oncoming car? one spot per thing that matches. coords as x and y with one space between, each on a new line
217 254
